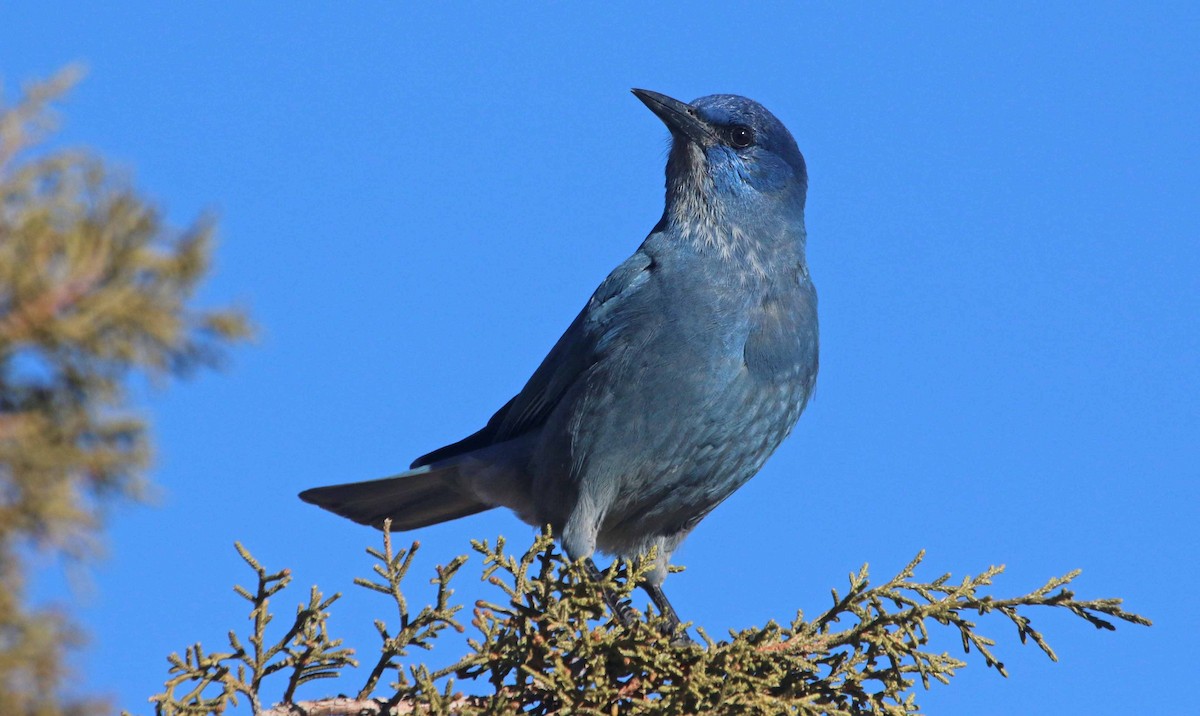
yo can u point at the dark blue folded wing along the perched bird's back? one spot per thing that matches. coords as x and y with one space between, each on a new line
584 344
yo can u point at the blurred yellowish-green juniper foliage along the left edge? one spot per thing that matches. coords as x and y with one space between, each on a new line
95 291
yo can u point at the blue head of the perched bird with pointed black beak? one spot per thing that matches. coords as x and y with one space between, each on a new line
729 155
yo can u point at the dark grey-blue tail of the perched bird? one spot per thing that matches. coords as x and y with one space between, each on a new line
413 500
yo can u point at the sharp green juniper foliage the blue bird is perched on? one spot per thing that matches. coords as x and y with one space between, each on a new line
548 646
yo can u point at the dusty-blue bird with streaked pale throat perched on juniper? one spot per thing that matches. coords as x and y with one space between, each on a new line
683 374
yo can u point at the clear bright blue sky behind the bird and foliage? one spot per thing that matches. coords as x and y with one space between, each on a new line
415 203
